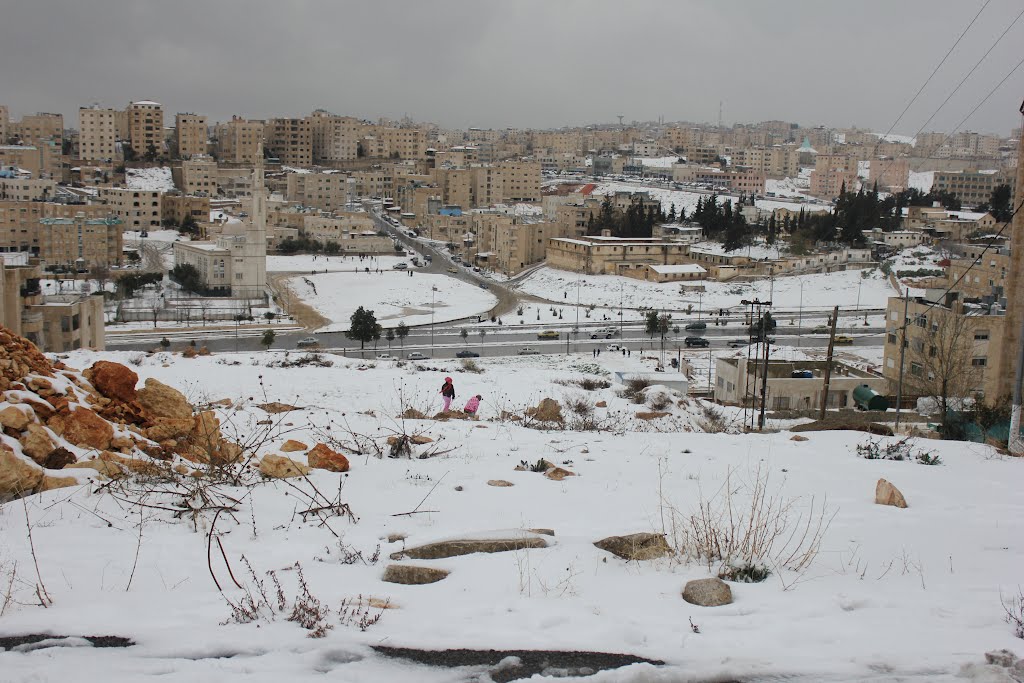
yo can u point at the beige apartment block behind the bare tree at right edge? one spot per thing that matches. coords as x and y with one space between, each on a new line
945 331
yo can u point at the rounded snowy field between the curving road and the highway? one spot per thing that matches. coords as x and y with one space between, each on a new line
393 295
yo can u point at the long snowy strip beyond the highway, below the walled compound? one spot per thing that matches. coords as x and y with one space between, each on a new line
821 291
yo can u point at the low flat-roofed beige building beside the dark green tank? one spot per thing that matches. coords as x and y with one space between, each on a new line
739 382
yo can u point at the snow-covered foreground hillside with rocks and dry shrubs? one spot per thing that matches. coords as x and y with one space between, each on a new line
890 595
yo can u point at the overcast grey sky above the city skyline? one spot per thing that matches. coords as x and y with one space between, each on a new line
541 64
